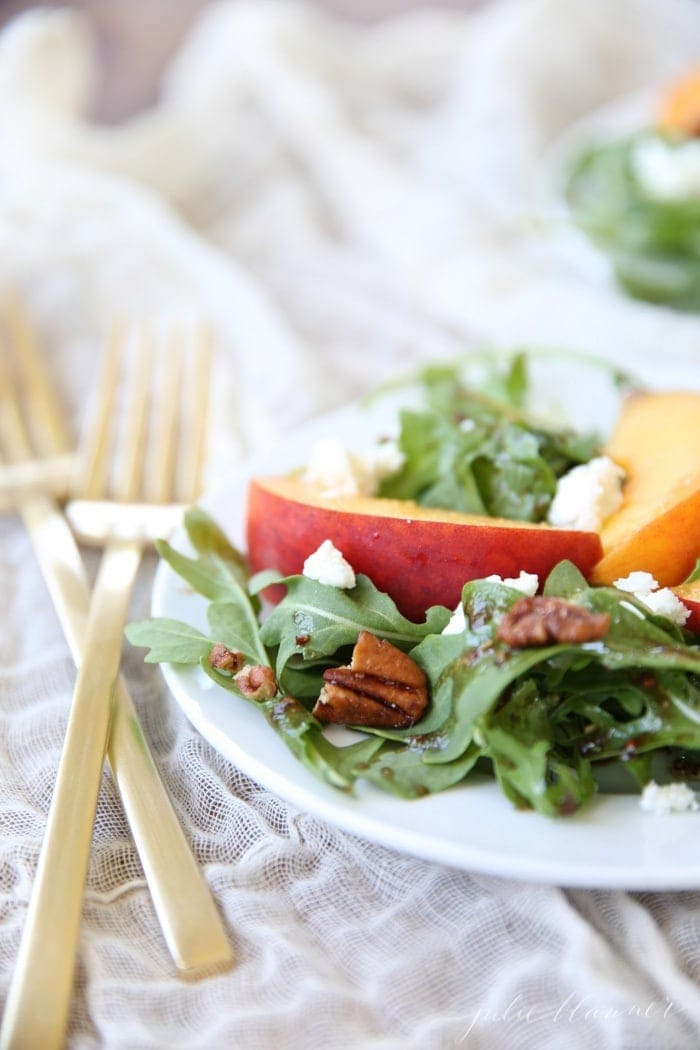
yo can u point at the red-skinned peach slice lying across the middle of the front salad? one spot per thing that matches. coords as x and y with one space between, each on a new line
420 556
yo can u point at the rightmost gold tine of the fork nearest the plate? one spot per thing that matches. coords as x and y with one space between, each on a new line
195 429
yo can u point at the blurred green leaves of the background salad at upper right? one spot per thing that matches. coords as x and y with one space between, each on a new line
653 243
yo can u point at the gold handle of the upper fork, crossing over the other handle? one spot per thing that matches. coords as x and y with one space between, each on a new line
37 1010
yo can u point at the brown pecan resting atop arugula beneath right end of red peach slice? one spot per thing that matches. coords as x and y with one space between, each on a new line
540 621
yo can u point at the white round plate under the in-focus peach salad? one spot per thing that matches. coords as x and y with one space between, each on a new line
610 844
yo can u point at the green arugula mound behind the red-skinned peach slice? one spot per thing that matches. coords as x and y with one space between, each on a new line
479 452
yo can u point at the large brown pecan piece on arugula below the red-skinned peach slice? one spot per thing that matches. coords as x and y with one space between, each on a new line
380 687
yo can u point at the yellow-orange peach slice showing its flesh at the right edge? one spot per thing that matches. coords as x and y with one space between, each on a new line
657 443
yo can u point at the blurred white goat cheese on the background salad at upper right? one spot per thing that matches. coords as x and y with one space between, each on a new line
668 173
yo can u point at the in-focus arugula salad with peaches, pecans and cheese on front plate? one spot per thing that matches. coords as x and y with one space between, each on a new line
482 592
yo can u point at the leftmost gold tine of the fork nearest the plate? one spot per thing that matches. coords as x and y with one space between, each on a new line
93 478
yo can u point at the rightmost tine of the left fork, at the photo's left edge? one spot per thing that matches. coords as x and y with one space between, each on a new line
48 424
